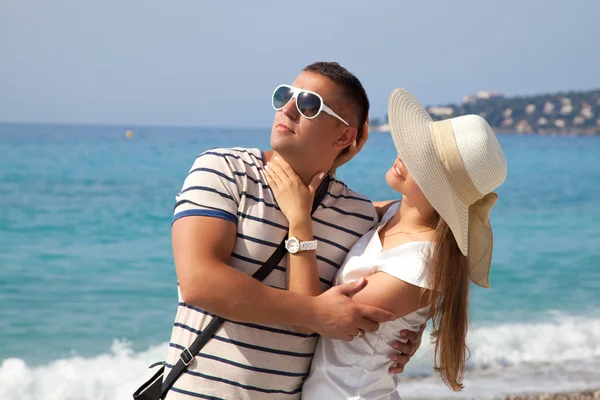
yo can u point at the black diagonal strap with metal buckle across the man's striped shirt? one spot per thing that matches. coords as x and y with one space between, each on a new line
187 355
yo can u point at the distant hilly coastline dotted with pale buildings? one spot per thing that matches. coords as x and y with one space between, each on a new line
563 113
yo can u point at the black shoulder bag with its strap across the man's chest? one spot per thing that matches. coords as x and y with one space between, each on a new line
155 388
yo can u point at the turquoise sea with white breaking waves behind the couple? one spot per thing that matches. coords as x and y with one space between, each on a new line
88 288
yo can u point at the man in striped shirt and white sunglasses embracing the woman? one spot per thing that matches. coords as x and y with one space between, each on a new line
227 224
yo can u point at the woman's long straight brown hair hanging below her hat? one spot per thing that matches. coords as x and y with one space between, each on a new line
448 275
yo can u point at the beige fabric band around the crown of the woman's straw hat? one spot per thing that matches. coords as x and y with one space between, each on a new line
452 162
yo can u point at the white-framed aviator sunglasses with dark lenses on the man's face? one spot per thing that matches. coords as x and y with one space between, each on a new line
309 104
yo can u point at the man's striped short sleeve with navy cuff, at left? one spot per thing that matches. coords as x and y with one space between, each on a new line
210 189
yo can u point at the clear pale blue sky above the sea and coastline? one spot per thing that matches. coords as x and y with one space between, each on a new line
216 63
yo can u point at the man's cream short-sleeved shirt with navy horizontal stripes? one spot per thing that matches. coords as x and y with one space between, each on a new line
250 361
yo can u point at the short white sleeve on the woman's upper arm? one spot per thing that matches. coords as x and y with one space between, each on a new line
408 264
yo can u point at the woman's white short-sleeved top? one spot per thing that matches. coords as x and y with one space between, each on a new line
359 369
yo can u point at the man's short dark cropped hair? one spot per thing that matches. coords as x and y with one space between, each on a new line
353 91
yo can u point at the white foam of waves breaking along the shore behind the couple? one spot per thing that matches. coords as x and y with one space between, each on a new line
562 354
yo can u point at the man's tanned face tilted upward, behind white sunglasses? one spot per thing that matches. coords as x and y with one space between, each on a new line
296 137
